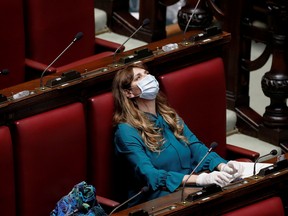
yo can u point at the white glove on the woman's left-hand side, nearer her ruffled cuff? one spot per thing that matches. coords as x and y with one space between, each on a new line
220 178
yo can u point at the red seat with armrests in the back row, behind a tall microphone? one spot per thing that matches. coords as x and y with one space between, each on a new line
51 26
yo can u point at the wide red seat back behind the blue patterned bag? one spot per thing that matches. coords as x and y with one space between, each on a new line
51 157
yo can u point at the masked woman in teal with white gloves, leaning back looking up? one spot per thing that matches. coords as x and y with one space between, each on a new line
158 147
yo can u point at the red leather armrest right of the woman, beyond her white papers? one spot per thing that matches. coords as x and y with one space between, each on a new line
243 154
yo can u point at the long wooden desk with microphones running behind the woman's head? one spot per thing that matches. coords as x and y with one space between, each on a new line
97 76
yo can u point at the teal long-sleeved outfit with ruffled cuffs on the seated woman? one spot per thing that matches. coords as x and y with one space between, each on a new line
161 172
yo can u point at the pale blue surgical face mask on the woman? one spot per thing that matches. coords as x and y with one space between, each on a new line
149 87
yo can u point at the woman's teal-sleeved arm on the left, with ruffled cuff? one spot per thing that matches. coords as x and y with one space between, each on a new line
129 144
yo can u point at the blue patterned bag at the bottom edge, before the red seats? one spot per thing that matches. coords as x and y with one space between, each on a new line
81 201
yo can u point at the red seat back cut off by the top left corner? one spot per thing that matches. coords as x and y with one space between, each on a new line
12 42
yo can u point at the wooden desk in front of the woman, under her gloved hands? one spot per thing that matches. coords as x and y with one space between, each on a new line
232 197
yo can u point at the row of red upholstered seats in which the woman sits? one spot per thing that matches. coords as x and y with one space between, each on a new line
50 152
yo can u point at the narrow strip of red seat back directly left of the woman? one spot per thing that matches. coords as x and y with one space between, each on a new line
104 175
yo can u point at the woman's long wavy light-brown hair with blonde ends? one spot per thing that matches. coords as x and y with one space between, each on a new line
127 111
